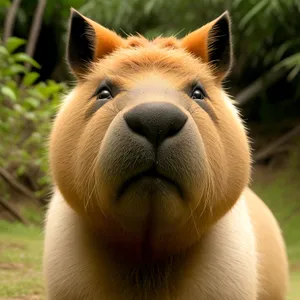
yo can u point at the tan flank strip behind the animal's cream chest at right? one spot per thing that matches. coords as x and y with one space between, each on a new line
272 261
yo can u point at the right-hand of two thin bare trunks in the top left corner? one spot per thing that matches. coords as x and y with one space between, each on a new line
35 28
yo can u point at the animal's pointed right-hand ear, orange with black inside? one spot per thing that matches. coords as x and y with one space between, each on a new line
212 43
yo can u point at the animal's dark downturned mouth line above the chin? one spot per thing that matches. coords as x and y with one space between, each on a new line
153 177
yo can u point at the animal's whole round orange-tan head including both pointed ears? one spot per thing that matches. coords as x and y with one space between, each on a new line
148 147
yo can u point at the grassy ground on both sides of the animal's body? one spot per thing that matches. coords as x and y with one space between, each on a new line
21 247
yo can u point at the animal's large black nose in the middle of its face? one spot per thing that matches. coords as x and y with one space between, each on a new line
155 121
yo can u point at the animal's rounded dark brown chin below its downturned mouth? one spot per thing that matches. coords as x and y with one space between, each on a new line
152 204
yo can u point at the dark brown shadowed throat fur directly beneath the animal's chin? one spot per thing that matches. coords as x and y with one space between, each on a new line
140 273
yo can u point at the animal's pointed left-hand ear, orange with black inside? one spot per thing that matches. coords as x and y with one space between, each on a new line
87 42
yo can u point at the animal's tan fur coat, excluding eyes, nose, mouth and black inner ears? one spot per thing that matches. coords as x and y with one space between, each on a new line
212 243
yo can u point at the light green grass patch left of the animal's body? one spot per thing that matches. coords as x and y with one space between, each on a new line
20 261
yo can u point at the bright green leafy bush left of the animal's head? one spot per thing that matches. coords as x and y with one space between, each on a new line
27 109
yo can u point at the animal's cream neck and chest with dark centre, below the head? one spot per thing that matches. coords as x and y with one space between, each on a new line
87 266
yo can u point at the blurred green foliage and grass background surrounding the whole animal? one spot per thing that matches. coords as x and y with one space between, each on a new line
265 81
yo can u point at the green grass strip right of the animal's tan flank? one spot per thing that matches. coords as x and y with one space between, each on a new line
280 191
